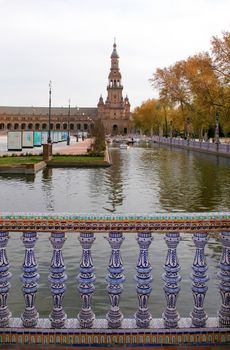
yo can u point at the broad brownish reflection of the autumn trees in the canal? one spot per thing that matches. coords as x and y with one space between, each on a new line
192 182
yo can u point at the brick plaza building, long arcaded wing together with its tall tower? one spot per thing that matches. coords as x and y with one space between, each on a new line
114 112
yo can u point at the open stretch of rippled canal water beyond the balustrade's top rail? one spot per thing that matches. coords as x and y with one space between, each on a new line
140 180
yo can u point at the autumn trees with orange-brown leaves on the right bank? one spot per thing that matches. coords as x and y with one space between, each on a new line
193 90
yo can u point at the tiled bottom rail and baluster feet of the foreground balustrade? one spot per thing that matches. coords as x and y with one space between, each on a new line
100 335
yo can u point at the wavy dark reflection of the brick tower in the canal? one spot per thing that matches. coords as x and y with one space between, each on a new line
113 182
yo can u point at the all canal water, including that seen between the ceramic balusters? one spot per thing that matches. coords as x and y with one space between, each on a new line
141 180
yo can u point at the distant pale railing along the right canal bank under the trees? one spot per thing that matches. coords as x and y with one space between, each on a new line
217 148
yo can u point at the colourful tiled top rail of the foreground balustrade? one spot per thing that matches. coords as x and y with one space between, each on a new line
157 222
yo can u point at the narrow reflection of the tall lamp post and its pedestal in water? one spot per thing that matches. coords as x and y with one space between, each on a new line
47 188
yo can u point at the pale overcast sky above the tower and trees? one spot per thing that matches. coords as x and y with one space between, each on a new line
70 43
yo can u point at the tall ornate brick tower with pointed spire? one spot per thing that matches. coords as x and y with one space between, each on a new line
115 111
